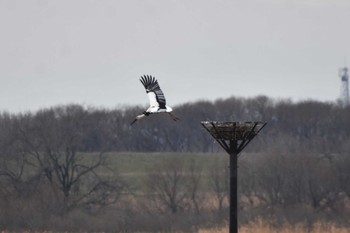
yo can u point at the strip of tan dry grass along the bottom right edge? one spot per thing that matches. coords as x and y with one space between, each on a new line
263 227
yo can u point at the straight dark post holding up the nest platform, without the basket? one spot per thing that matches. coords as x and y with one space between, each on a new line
233 228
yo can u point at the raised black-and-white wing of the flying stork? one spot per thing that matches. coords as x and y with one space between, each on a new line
155 94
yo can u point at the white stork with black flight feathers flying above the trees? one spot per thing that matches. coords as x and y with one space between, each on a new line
156 99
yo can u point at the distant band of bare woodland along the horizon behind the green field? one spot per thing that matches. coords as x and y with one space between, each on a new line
307 126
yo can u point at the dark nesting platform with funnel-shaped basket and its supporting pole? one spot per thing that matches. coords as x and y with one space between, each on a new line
233 137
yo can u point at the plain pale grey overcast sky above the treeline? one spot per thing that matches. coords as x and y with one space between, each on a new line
93 52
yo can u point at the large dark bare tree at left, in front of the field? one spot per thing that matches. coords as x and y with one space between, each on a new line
52 140
